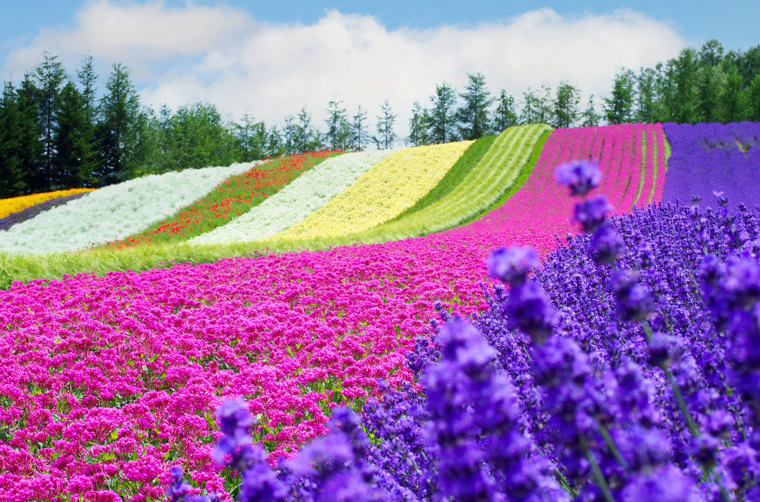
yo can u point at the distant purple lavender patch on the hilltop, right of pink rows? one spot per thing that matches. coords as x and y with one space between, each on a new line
713 157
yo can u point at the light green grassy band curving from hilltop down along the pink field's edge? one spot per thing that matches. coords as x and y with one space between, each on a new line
510 160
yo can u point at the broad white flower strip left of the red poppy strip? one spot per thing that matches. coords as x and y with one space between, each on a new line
114 212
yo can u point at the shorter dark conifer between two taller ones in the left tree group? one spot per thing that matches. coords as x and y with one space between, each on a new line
74 157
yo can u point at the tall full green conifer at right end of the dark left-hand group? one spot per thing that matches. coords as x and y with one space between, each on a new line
118 132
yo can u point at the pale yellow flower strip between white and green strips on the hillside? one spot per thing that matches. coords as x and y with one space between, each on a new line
382 193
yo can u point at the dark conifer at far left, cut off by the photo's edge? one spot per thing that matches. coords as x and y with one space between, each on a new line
11 162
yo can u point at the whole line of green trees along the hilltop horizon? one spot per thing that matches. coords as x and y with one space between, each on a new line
56 133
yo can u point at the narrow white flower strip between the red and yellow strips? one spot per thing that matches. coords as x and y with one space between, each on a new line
296 201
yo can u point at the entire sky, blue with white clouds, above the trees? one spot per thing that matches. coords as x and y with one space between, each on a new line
270 59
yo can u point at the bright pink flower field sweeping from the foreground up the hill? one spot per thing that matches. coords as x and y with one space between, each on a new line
105 382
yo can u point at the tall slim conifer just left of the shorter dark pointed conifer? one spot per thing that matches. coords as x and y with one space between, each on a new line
49 77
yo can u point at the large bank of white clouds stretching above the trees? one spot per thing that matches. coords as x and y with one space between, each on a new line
226 56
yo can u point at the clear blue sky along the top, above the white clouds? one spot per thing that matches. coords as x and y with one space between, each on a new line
736 23
